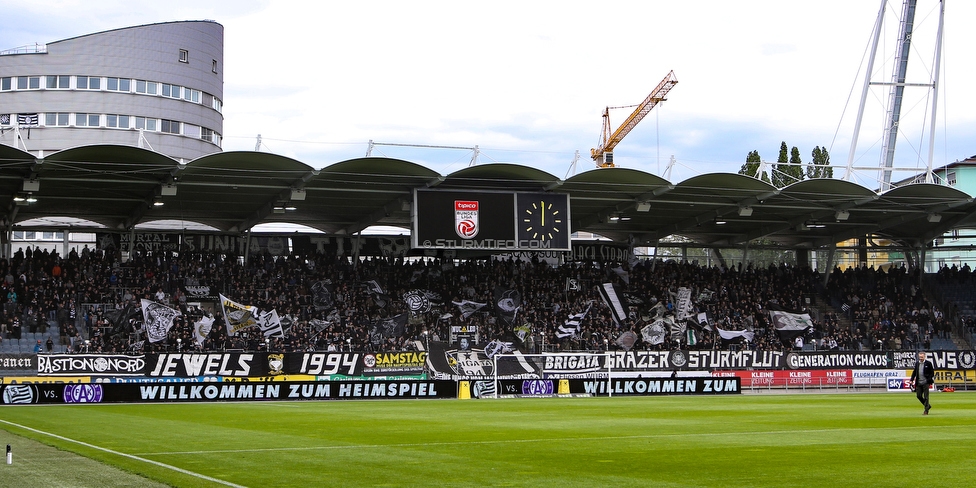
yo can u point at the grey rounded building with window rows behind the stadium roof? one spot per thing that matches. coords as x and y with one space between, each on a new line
157 86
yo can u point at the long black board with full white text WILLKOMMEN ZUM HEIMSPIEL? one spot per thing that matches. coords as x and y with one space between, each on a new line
223 391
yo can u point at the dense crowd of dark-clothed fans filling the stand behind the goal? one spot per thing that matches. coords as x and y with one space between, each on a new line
89 301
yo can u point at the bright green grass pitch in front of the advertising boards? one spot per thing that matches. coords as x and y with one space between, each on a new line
871 439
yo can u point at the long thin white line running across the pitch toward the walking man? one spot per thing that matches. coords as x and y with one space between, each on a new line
460 443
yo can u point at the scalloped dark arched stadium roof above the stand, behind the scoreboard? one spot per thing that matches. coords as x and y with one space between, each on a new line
116 186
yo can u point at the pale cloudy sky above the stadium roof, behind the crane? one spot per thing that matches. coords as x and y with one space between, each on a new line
527 81
